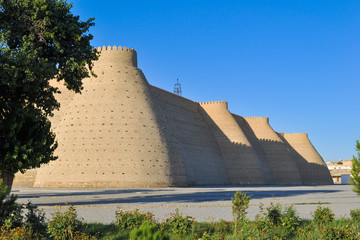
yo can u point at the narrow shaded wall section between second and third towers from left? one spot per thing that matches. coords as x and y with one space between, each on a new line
256 145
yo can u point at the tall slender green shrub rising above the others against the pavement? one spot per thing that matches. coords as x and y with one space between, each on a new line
240 202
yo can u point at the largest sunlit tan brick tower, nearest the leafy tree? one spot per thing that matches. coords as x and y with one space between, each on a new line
111 134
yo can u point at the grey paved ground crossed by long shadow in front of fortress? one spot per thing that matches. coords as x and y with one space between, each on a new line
203 203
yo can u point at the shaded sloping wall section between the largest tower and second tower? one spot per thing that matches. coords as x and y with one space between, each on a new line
193 137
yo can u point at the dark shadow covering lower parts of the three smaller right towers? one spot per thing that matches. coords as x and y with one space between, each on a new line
247 161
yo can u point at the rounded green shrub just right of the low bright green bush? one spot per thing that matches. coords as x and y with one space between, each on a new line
178 224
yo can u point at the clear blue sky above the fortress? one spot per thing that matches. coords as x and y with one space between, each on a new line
296 62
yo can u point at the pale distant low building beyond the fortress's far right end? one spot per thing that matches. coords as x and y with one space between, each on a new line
340 171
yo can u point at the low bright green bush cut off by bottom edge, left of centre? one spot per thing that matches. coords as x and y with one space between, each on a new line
148 231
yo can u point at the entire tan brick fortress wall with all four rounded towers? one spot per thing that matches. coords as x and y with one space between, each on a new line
122 132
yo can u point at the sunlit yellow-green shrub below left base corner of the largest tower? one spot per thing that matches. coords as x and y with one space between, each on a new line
64 225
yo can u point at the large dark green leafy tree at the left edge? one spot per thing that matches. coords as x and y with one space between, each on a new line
40 40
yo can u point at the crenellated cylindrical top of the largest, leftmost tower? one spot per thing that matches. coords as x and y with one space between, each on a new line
116 57
